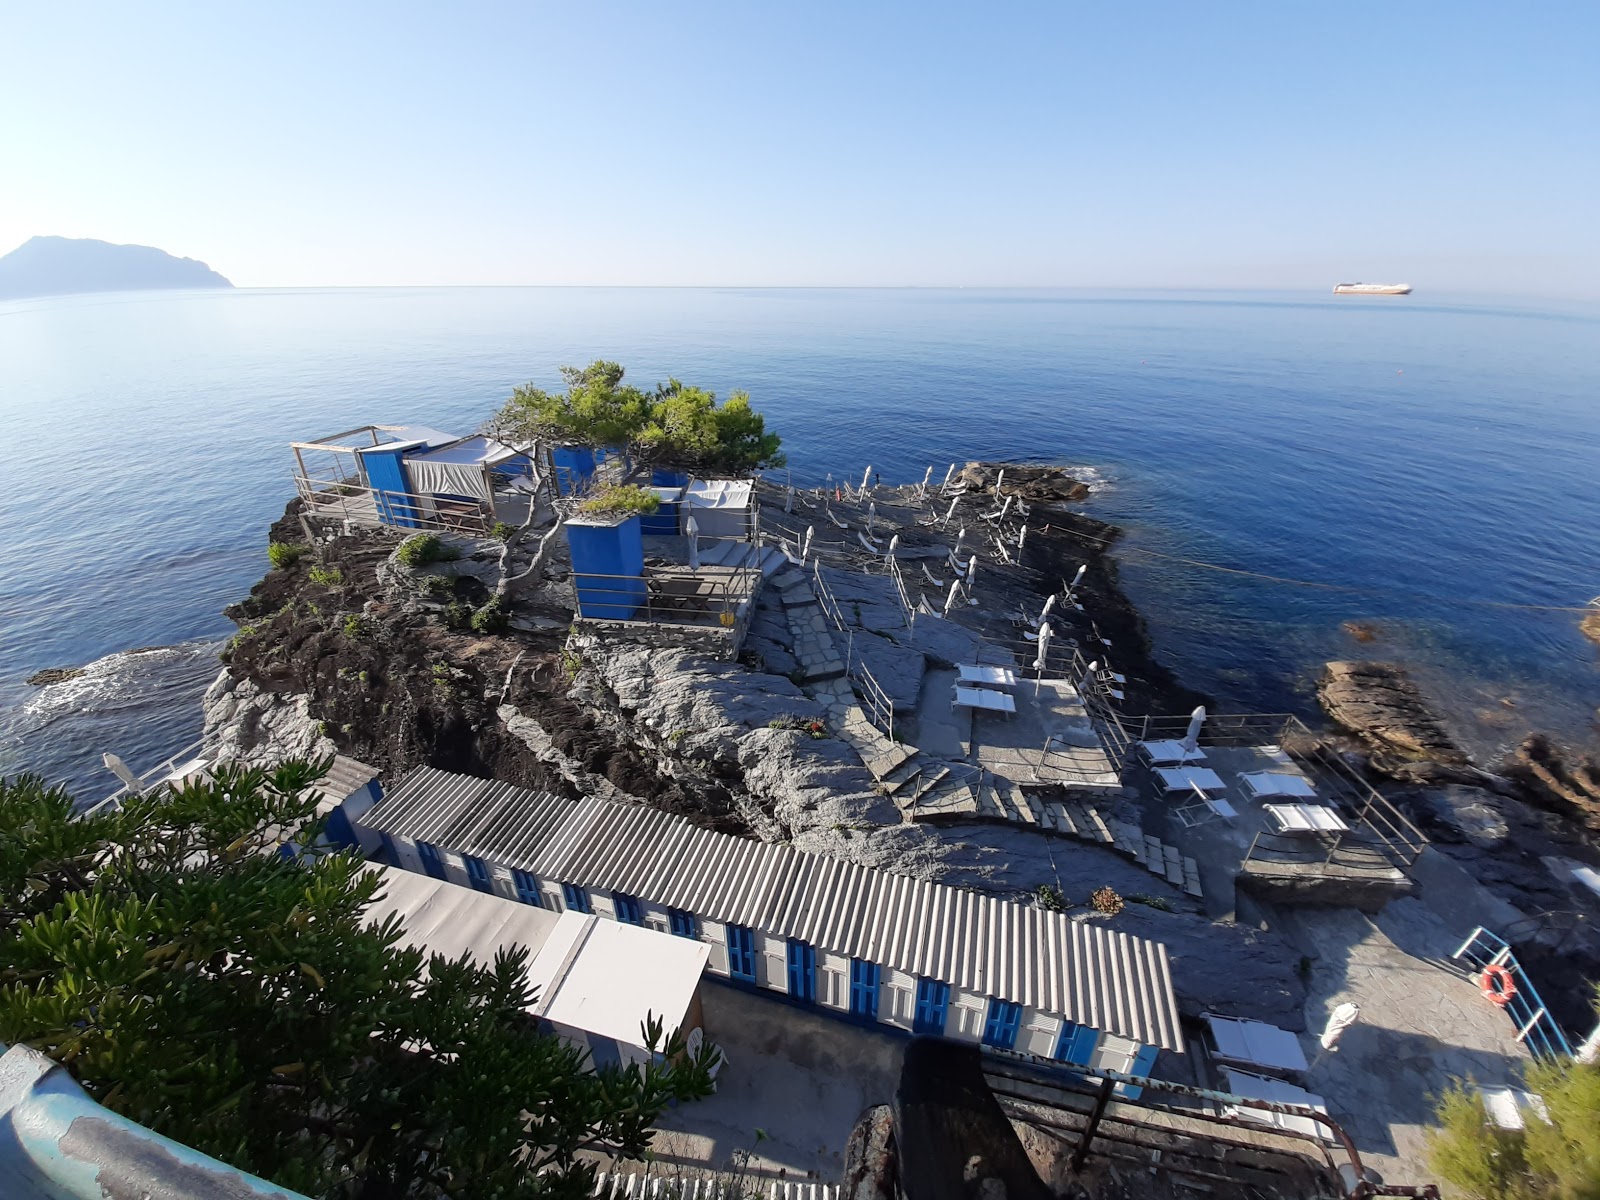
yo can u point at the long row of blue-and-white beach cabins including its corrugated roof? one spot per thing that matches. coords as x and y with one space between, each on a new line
833 935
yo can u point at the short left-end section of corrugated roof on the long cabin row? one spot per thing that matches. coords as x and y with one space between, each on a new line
473 817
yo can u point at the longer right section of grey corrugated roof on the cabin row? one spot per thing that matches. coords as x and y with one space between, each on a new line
1018 953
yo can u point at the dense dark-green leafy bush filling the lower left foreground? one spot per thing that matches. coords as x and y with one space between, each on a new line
236 1001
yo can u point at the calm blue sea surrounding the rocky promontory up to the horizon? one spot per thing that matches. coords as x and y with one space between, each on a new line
1434 462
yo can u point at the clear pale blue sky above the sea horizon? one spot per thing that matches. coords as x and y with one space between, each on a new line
1162 145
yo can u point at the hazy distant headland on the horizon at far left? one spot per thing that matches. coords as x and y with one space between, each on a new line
57 266
